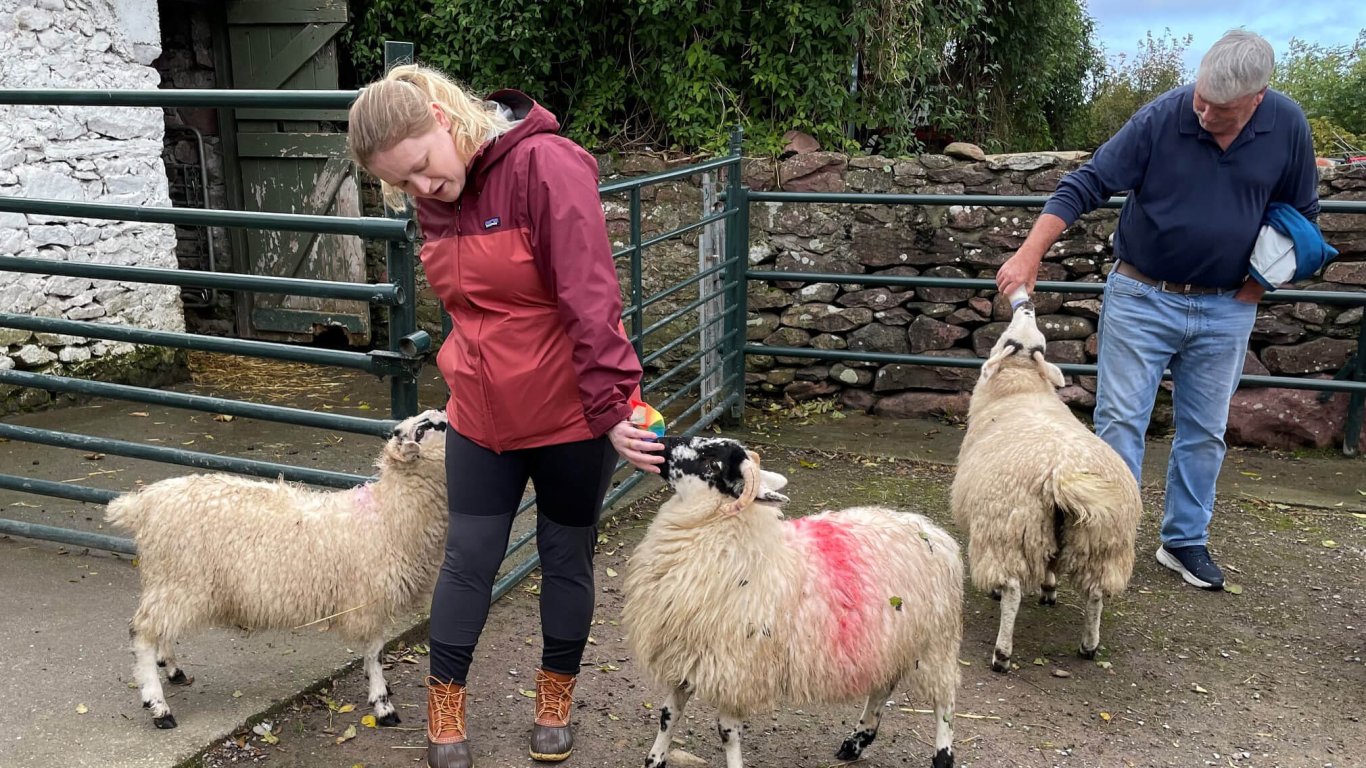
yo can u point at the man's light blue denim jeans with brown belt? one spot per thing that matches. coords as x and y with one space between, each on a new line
1203 340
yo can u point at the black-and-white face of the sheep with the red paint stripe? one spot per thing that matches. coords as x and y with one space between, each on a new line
716 464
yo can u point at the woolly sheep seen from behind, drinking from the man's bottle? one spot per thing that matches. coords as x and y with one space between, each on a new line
1039 494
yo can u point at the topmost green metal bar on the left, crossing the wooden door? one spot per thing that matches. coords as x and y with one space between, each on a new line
180 98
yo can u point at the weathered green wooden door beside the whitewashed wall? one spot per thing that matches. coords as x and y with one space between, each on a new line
294 162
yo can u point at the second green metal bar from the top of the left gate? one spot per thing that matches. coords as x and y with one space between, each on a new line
364 228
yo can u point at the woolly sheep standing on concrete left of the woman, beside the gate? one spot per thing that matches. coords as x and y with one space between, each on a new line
219 550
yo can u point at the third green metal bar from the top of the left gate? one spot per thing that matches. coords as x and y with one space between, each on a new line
383 293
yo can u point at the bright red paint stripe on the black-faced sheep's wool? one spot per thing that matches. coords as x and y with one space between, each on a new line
844 586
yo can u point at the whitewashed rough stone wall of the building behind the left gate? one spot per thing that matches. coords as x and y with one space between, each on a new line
81 154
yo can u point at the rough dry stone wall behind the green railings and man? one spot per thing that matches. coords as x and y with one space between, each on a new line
1292 340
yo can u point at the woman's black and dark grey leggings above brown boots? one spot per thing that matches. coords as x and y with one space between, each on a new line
486 490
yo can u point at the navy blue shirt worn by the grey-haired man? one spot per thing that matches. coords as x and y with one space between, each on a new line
1195 211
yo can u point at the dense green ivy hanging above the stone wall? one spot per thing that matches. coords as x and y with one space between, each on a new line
680 74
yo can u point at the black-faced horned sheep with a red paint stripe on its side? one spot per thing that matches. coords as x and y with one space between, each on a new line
731 603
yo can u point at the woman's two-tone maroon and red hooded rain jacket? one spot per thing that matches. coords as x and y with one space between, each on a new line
538 355
